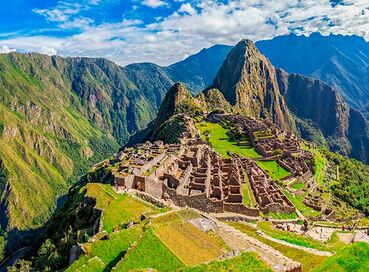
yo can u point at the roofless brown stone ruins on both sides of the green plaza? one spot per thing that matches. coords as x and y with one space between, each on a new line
193 174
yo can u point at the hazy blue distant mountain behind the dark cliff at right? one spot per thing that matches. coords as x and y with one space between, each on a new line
341 61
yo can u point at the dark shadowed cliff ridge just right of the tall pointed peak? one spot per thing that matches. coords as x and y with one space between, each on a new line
344 128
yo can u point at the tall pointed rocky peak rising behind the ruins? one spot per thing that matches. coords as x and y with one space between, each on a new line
248 81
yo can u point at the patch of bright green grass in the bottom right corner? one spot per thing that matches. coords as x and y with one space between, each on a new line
353 258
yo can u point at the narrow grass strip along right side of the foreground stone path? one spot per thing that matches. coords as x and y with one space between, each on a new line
307 260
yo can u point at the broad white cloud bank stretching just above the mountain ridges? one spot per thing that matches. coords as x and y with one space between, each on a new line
167 40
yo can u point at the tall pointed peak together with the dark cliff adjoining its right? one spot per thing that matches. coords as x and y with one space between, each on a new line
251 84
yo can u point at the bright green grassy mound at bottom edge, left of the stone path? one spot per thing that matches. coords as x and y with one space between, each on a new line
247 261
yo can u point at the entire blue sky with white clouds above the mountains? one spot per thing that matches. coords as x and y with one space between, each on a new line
165 31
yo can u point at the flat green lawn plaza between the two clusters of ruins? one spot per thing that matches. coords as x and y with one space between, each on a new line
220 141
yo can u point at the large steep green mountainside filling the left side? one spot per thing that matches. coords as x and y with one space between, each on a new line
58 116
